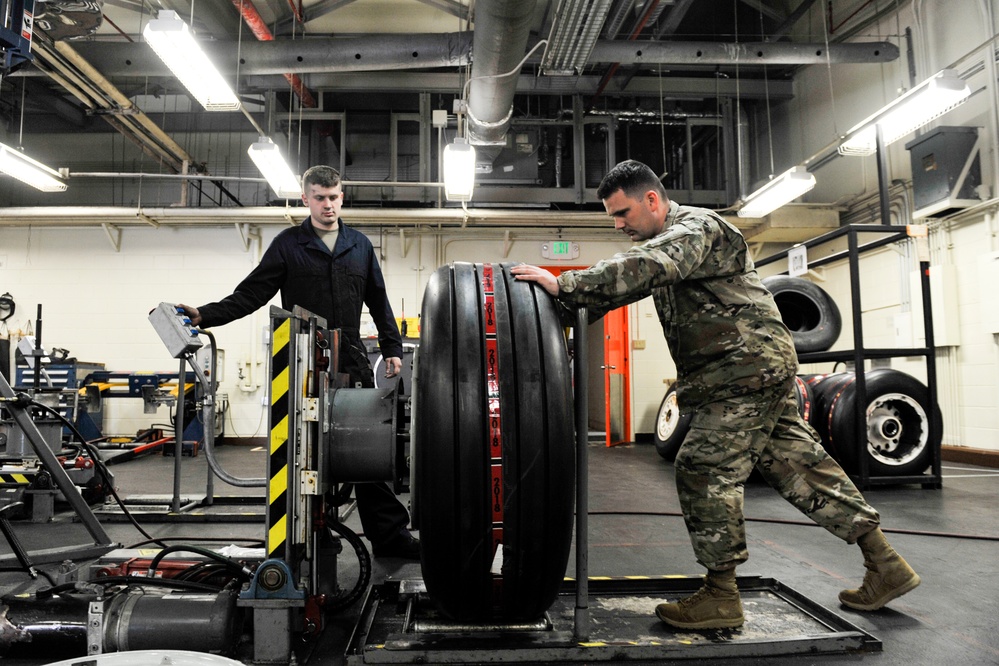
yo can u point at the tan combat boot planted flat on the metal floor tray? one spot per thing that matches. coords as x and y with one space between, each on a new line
715 606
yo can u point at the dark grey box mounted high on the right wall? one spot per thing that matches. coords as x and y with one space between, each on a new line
946 170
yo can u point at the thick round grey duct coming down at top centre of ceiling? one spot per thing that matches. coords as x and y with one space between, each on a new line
502 28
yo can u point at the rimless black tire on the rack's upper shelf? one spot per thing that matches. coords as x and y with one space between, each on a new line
807 310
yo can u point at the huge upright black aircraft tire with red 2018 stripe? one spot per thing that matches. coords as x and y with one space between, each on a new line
495 456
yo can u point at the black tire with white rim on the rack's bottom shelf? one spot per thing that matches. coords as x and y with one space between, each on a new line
899 441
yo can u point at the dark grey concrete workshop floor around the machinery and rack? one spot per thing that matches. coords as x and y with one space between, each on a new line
948 535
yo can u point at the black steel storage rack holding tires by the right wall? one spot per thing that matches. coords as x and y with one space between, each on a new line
859 354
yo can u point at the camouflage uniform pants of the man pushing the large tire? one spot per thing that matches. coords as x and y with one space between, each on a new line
727 439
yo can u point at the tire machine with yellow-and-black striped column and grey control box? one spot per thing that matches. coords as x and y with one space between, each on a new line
323 433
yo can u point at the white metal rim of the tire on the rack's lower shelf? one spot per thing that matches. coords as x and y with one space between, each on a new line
897 429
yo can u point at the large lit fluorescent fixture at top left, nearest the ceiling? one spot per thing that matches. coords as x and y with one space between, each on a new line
173 42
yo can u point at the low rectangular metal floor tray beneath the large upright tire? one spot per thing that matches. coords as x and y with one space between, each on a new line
399 625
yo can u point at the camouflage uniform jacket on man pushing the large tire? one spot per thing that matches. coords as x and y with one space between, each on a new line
722 326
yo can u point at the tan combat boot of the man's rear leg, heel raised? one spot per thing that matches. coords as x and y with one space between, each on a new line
888 575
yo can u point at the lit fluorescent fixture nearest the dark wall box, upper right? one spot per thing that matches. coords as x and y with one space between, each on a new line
930 99
